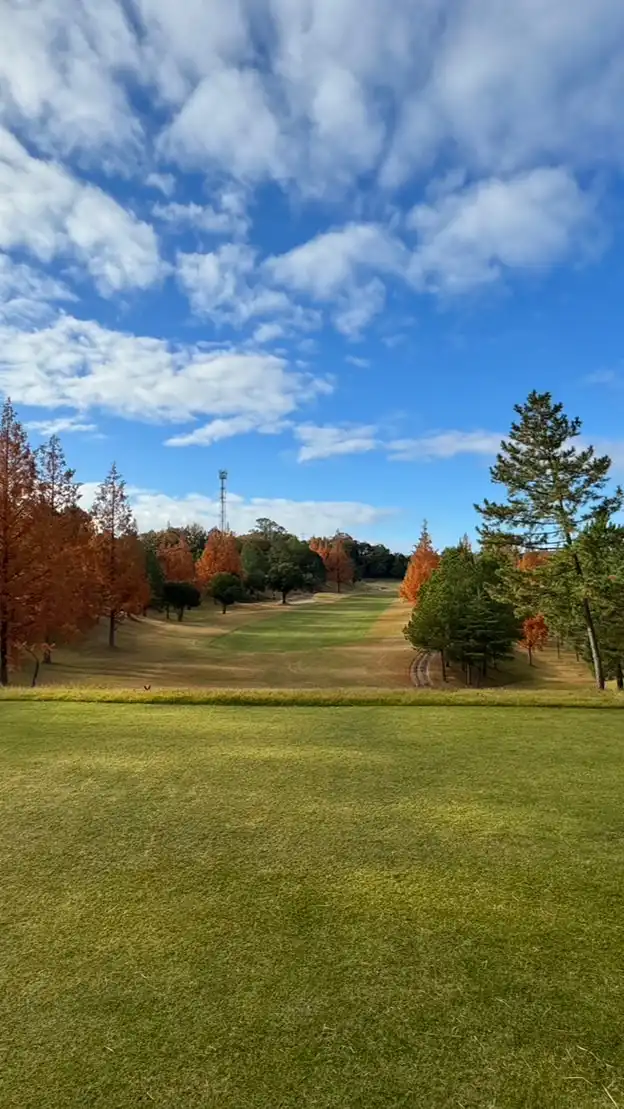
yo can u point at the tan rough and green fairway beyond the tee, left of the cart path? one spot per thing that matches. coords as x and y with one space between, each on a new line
353 642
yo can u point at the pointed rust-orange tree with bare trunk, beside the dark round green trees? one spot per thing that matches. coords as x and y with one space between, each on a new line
121 582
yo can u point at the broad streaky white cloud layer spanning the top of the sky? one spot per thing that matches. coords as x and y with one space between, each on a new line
322 91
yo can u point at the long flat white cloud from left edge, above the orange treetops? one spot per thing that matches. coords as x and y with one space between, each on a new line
84 367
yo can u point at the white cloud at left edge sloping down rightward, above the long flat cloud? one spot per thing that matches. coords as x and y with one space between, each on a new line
49 213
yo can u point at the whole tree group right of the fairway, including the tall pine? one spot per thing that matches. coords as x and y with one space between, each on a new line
550 564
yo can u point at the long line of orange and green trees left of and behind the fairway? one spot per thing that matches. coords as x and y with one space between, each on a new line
64 568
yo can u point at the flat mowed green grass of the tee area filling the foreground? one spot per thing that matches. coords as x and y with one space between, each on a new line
311 909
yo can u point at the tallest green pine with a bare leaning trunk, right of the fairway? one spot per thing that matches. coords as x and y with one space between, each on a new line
555 491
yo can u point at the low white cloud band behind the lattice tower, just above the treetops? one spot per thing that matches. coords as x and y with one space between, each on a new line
304 518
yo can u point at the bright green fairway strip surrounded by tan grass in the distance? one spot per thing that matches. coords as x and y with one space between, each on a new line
308 627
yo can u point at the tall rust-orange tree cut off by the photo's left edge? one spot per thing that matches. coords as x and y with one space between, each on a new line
23 547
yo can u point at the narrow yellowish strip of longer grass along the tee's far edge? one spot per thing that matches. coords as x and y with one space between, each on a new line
503 699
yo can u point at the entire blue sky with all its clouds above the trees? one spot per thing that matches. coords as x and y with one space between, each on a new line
324 245
